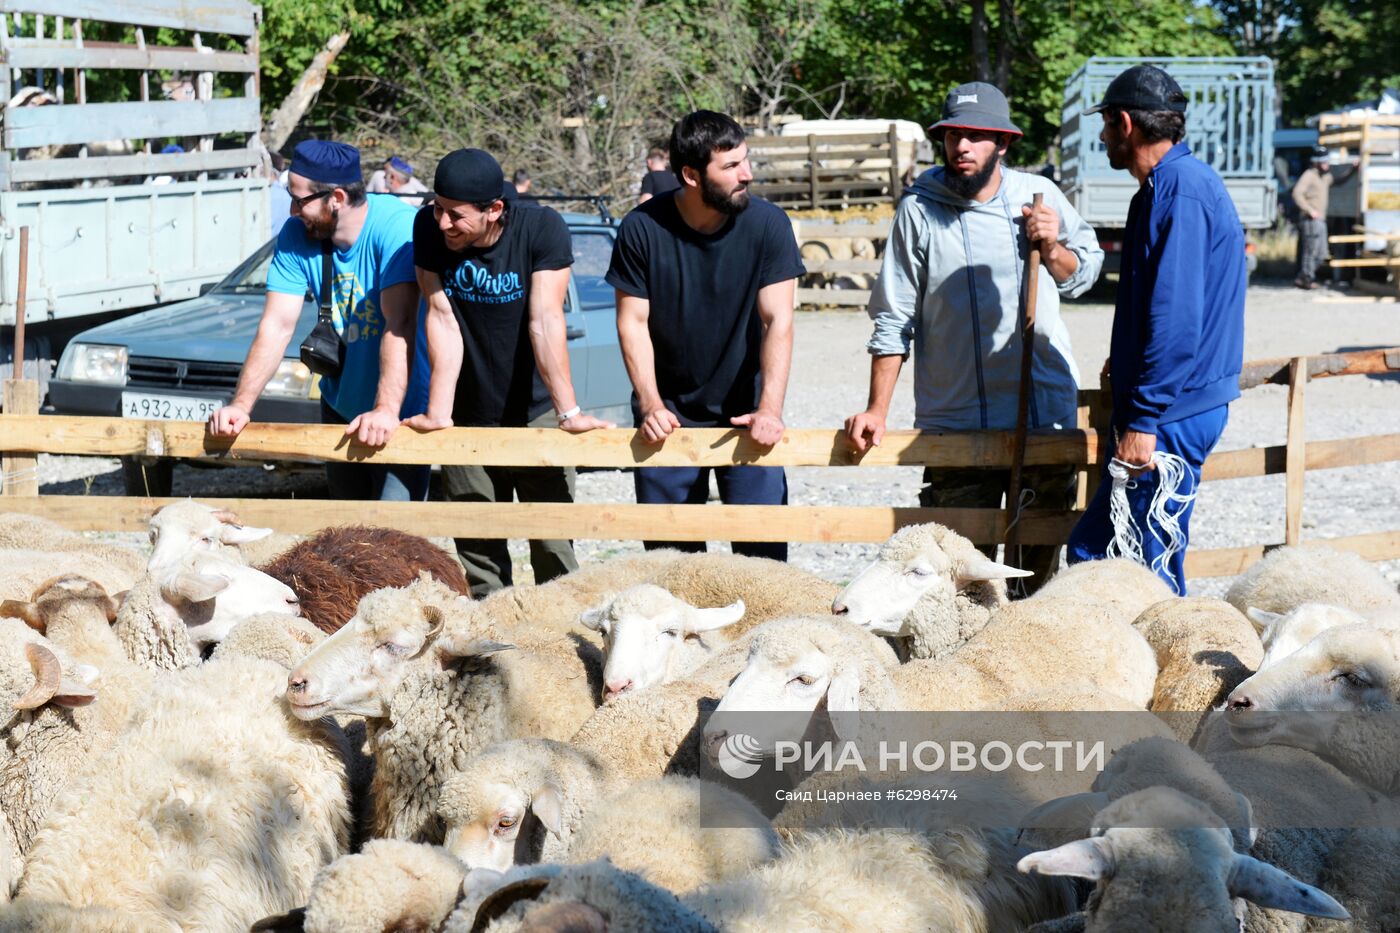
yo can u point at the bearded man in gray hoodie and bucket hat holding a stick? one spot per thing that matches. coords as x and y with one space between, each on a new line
953 286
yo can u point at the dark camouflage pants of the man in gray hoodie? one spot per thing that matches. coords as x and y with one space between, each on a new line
972 488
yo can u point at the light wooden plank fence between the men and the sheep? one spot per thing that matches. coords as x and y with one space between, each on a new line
23 436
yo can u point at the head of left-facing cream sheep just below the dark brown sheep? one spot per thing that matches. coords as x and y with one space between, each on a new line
393 633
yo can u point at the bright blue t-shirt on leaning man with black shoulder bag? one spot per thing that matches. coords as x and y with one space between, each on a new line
381 257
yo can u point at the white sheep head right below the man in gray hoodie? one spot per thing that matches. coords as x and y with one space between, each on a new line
919 562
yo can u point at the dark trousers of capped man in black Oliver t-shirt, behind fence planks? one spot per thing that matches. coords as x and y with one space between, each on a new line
488 561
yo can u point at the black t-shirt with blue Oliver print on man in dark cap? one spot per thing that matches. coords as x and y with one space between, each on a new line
489 291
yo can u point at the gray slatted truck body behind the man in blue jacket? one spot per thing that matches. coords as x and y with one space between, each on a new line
1230 124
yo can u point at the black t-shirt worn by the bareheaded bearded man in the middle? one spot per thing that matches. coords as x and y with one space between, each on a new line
703 291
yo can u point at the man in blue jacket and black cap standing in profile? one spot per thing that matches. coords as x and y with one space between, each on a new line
1179 324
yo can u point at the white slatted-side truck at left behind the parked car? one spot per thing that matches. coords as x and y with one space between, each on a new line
136 167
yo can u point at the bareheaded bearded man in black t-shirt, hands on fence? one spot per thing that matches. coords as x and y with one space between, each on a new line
706 278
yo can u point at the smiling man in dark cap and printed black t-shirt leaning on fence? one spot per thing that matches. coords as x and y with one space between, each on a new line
495 278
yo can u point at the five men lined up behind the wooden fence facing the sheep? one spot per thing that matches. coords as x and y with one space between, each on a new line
706 275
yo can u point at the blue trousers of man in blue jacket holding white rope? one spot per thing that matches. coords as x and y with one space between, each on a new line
1192 439
